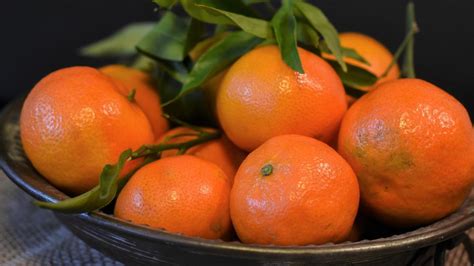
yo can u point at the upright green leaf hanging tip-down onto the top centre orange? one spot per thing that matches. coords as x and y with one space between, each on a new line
284 25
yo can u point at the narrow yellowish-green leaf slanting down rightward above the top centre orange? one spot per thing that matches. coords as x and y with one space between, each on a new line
257 27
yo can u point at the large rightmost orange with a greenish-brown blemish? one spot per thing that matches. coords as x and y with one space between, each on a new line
411 146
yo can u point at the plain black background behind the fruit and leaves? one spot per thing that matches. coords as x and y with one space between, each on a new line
38 37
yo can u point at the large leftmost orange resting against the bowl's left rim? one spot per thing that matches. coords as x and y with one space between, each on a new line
74 121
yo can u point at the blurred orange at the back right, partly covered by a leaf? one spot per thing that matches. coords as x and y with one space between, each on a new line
374 52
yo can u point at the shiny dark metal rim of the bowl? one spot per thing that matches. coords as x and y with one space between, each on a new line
437 232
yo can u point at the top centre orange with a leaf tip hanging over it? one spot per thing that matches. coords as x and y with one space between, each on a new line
261 97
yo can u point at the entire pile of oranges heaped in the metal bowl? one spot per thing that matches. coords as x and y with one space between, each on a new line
294 166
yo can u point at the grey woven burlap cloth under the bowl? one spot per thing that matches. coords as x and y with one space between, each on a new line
32 236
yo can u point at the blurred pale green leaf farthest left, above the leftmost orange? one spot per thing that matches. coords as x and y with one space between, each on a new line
121 43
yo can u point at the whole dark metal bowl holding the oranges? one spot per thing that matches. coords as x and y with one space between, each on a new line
135 244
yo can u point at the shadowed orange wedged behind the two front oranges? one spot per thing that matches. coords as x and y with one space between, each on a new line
220 151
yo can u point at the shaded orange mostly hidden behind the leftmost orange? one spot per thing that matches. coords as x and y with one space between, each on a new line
145 94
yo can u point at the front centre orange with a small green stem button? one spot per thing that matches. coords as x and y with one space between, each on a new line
310 197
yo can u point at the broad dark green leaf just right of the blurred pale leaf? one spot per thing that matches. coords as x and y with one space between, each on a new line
171 38
